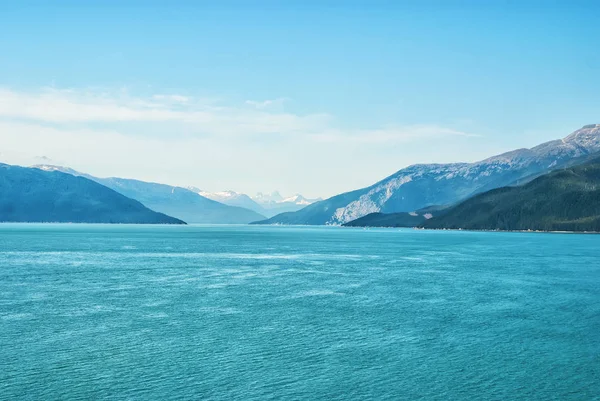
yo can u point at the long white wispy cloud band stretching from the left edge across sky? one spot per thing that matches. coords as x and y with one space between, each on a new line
56 106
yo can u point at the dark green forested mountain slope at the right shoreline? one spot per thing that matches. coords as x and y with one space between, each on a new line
567 199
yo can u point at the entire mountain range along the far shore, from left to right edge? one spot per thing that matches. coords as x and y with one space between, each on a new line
454 195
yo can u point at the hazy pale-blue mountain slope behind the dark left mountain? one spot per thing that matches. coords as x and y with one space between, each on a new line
174 201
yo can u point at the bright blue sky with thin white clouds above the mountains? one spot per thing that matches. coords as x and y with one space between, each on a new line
311 97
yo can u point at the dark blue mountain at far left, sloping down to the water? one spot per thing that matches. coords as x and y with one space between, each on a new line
33 195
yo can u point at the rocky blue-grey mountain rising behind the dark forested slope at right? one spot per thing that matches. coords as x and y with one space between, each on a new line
418 186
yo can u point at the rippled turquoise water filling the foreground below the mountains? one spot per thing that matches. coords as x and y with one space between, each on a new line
260 313
